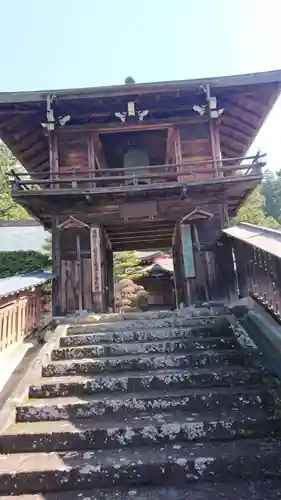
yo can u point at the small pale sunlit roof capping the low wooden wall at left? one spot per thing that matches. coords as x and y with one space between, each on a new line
14 284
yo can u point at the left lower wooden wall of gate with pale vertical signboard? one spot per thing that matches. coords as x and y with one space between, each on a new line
85 271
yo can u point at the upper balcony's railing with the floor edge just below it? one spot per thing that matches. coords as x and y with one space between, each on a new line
154 180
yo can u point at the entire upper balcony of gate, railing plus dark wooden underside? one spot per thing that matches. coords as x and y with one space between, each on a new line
177 185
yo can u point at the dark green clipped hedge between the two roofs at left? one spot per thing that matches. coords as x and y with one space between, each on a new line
13 263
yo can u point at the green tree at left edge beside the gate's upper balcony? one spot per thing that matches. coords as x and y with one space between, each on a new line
9 210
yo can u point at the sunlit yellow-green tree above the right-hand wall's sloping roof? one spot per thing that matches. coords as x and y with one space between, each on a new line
253 211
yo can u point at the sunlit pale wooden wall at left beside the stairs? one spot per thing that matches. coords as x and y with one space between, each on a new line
19 316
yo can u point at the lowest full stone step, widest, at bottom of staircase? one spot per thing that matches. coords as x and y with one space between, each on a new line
177 464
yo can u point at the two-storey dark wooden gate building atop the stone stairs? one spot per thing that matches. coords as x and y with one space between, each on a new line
137 166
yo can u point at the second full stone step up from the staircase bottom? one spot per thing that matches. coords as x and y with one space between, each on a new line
146 429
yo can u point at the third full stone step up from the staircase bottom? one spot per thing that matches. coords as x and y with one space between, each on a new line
122 405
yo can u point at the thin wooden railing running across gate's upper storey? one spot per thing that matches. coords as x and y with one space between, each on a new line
178 172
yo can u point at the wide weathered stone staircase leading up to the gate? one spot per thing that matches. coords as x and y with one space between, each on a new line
173 408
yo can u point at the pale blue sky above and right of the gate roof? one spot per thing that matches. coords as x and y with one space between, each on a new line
78 43
